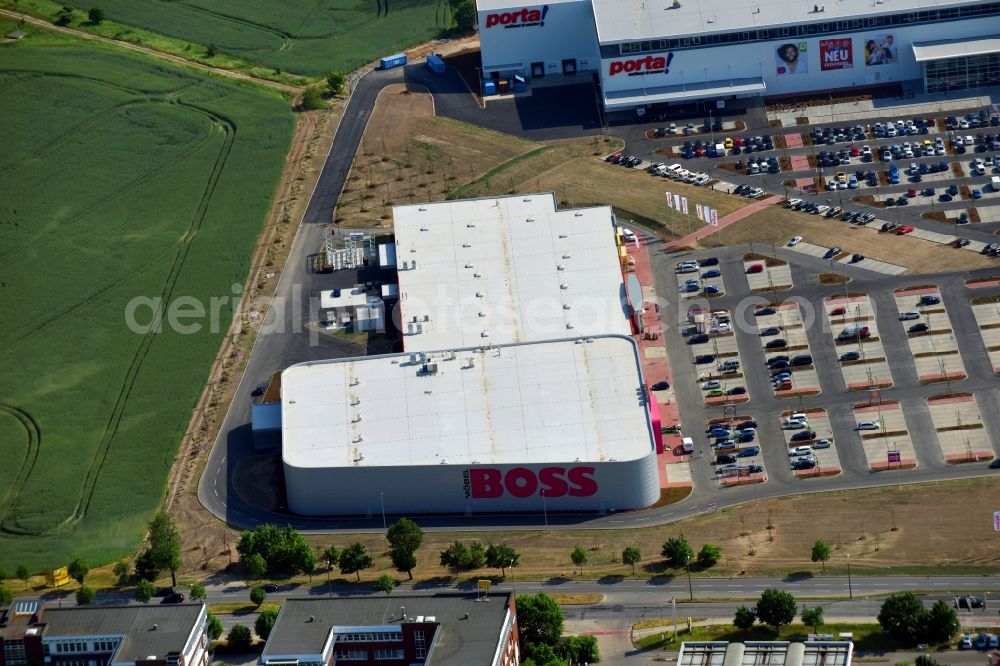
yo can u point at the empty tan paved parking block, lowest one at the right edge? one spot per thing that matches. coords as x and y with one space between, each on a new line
960 430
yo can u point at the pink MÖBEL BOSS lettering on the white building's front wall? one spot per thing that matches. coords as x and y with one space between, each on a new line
487 483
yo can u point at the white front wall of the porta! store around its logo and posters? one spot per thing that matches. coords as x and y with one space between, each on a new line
759 59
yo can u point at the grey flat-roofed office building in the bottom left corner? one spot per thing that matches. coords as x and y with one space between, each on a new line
154 635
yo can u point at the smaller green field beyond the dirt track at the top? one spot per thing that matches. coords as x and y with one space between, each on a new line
307 37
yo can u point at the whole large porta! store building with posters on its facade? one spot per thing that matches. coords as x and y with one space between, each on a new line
712 51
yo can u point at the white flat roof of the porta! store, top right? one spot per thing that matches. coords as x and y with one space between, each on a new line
629 20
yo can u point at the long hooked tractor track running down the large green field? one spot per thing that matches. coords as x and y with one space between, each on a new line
111 430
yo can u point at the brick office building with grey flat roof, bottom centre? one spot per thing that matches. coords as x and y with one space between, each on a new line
449 629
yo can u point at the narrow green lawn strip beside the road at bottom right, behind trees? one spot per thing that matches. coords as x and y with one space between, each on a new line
867 637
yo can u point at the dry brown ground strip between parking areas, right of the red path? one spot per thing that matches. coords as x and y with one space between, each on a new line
775 225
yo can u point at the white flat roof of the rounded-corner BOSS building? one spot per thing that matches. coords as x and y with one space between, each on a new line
542 402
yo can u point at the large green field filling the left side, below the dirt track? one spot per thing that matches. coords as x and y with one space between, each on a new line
123 178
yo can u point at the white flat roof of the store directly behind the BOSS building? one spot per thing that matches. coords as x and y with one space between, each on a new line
506 269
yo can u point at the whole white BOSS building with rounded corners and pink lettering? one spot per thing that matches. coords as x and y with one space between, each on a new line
471 430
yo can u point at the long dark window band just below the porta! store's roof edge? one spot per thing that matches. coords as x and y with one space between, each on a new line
804 30
